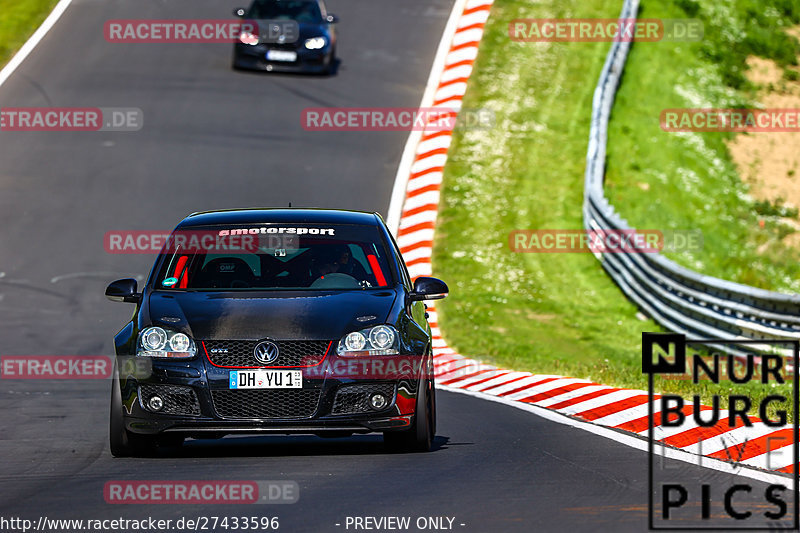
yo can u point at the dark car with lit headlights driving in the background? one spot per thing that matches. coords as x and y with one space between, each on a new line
291 36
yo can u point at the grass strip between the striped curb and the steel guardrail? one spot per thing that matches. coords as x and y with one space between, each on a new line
545 313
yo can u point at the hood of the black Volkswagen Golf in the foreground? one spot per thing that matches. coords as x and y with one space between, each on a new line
281 315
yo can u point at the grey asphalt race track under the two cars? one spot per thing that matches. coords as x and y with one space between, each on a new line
214 138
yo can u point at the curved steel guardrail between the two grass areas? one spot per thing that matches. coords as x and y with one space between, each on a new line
679 299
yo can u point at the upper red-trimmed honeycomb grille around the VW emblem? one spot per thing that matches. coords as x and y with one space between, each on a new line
240 353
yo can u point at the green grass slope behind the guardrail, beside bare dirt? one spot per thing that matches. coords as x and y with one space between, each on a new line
663 180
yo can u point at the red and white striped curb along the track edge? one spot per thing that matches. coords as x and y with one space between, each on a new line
417 191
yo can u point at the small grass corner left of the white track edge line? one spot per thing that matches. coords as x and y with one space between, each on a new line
18 20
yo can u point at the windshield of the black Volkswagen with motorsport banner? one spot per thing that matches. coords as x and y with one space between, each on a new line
271 256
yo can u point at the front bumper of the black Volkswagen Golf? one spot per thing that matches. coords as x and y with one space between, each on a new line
198 402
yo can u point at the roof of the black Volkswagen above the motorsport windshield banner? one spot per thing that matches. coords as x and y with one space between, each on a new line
278 216
